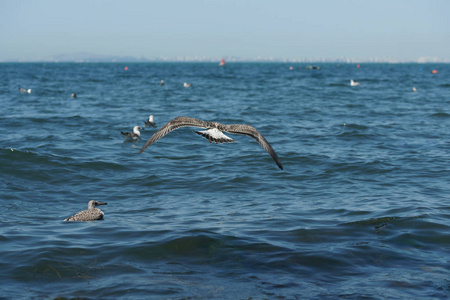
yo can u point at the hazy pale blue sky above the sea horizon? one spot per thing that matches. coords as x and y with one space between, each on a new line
246 29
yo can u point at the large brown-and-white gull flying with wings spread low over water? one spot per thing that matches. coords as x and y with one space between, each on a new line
214 133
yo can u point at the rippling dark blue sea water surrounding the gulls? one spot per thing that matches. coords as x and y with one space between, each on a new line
360 211
